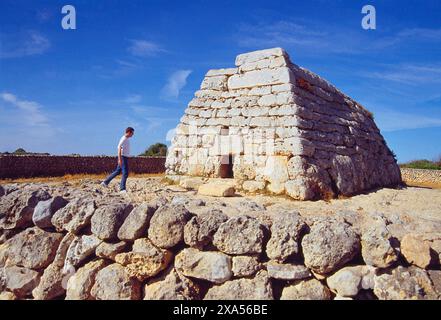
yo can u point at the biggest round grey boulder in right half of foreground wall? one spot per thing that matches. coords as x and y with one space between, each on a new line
329 245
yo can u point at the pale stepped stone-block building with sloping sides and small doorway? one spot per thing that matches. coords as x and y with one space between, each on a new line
283 129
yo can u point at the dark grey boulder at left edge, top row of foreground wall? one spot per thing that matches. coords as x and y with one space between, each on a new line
17 207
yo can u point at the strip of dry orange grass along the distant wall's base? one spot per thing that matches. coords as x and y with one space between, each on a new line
75 177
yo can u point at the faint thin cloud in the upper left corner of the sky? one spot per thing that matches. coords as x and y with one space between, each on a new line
26 44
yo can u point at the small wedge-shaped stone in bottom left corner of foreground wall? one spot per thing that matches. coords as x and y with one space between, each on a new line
21 281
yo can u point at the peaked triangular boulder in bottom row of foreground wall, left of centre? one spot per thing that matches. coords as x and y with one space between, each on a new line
171 286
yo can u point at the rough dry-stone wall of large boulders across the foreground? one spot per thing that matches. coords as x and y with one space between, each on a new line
71 243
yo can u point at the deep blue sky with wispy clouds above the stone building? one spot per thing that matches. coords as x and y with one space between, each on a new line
139 62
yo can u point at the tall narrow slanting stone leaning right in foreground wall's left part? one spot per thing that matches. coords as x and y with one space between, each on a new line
53 281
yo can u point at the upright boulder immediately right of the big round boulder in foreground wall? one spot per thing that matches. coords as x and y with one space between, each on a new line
376 248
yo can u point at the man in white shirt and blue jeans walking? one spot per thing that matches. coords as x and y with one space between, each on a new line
123 157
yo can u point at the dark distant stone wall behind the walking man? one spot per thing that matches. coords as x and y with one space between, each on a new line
12 167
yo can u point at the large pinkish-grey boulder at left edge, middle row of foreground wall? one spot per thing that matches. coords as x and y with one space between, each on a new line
32 248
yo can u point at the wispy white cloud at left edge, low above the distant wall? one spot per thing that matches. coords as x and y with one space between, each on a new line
32 114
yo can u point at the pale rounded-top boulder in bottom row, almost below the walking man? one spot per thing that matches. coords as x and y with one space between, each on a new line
114 283
